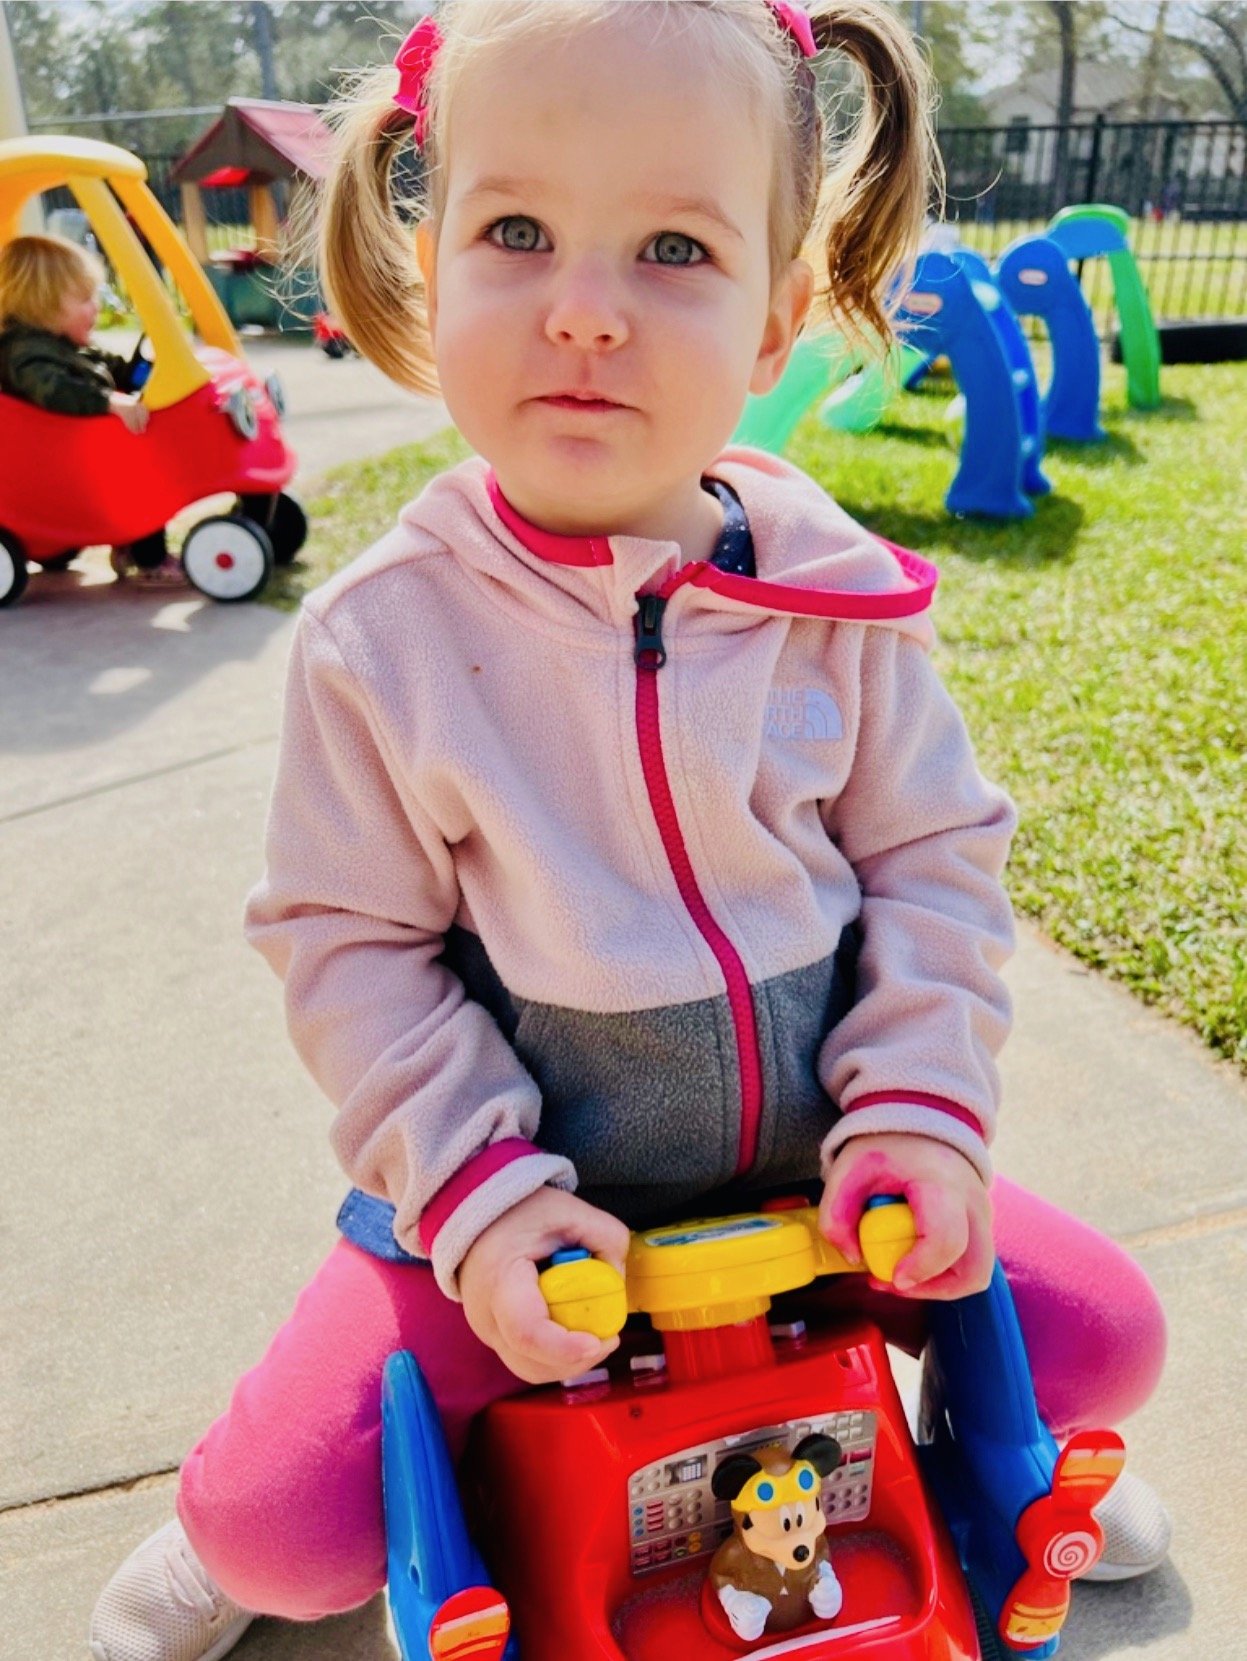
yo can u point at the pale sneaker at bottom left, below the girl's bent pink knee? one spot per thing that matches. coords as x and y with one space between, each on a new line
164 1605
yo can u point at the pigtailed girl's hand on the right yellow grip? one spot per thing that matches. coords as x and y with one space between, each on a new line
951 1205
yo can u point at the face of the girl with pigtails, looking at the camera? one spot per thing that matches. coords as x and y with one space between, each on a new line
607 230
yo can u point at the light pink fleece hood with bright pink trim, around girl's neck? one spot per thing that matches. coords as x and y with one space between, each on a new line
813 559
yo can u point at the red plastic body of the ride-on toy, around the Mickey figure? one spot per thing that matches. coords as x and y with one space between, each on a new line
605 1526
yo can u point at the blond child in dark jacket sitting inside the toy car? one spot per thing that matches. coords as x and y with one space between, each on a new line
49 308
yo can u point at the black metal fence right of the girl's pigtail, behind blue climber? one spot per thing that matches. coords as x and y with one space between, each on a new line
1183 182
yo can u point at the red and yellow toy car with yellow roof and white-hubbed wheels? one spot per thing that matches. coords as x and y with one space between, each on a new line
72 481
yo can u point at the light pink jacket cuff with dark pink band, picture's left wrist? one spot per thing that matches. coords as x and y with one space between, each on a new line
476 1197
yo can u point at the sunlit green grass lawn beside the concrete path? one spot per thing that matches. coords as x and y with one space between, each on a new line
1097 650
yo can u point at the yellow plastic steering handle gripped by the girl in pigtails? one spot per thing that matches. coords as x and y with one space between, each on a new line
716 1271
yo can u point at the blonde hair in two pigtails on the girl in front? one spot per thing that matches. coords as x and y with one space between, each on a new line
861 210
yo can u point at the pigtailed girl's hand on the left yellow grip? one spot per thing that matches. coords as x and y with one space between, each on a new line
502 1300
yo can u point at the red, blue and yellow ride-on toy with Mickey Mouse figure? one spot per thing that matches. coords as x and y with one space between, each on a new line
600 1506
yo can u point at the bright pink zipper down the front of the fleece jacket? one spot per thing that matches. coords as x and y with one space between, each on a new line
650 659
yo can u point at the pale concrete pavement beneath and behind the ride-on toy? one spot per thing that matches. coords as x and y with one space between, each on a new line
165 1178
